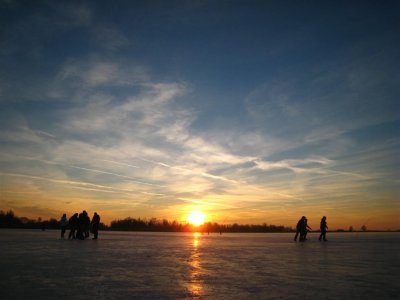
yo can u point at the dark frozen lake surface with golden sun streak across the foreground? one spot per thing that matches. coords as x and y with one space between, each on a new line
39 265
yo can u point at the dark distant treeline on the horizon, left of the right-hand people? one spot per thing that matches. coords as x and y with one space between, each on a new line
10 220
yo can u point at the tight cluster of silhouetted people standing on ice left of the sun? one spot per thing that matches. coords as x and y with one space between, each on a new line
80 225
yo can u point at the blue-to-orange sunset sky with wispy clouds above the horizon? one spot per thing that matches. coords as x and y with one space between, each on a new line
248 111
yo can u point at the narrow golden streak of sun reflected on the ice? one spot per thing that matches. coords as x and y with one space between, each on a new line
195 285
